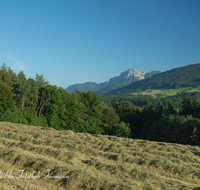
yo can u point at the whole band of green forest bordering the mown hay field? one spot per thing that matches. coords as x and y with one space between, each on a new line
36 102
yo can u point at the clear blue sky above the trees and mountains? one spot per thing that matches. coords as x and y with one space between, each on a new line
77 41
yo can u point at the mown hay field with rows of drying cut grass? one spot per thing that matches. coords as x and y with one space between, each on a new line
92 161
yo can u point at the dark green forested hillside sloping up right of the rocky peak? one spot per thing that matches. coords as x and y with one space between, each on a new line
188 76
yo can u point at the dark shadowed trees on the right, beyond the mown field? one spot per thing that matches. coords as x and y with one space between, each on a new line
164 123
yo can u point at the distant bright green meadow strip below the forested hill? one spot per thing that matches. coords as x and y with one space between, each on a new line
166 92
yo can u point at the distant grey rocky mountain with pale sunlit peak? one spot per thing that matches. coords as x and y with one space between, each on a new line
123 79
